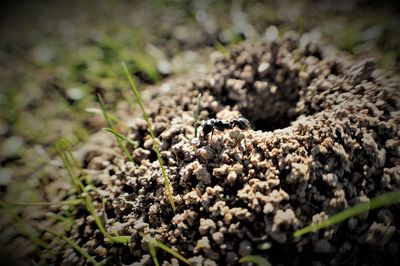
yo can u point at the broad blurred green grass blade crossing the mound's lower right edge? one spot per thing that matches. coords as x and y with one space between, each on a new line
377 202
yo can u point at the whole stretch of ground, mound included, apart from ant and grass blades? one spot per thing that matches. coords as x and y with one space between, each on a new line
324 132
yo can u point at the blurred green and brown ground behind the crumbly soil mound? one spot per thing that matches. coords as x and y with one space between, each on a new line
56 55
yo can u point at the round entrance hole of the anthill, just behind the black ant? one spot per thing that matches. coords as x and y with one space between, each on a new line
262 82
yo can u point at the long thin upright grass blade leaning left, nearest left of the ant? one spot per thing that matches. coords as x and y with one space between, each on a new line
150 129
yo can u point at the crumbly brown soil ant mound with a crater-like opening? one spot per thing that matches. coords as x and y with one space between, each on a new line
325 137
